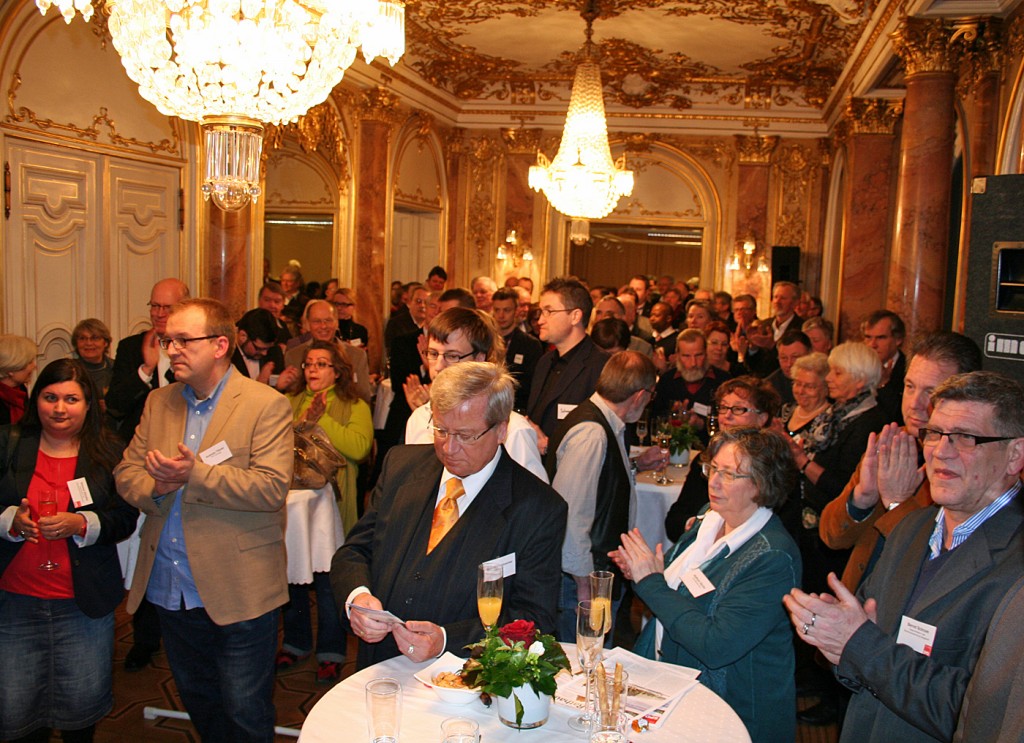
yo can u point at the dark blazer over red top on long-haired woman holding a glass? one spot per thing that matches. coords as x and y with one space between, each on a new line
96 570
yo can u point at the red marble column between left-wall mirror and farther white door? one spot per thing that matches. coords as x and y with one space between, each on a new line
378 112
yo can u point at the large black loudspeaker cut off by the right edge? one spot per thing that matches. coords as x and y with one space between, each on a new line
995 316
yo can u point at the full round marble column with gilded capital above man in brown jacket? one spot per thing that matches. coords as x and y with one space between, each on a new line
917 281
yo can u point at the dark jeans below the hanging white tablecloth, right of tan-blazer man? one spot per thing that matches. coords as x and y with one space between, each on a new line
298 629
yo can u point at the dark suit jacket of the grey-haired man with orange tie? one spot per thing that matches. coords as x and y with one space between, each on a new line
387 550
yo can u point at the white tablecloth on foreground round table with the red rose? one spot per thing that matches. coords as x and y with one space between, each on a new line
340 716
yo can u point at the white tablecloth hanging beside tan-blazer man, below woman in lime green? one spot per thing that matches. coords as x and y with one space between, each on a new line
314 535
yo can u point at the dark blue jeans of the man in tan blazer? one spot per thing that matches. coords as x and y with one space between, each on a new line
225 674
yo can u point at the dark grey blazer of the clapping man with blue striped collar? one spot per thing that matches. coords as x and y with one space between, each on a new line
902 695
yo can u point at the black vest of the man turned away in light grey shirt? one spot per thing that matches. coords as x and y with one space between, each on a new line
612 517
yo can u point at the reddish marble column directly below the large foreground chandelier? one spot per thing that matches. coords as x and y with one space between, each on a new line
230 238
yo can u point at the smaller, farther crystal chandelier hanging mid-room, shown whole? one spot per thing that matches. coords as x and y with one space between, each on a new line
583 183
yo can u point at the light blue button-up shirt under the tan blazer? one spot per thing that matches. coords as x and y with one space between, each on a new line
172 582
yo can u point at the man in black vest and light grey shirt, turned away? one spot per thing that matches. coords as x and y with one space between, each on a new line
590 467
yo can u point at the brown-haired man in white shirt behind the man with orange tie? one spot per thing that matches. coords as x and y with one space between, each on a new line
459 335
